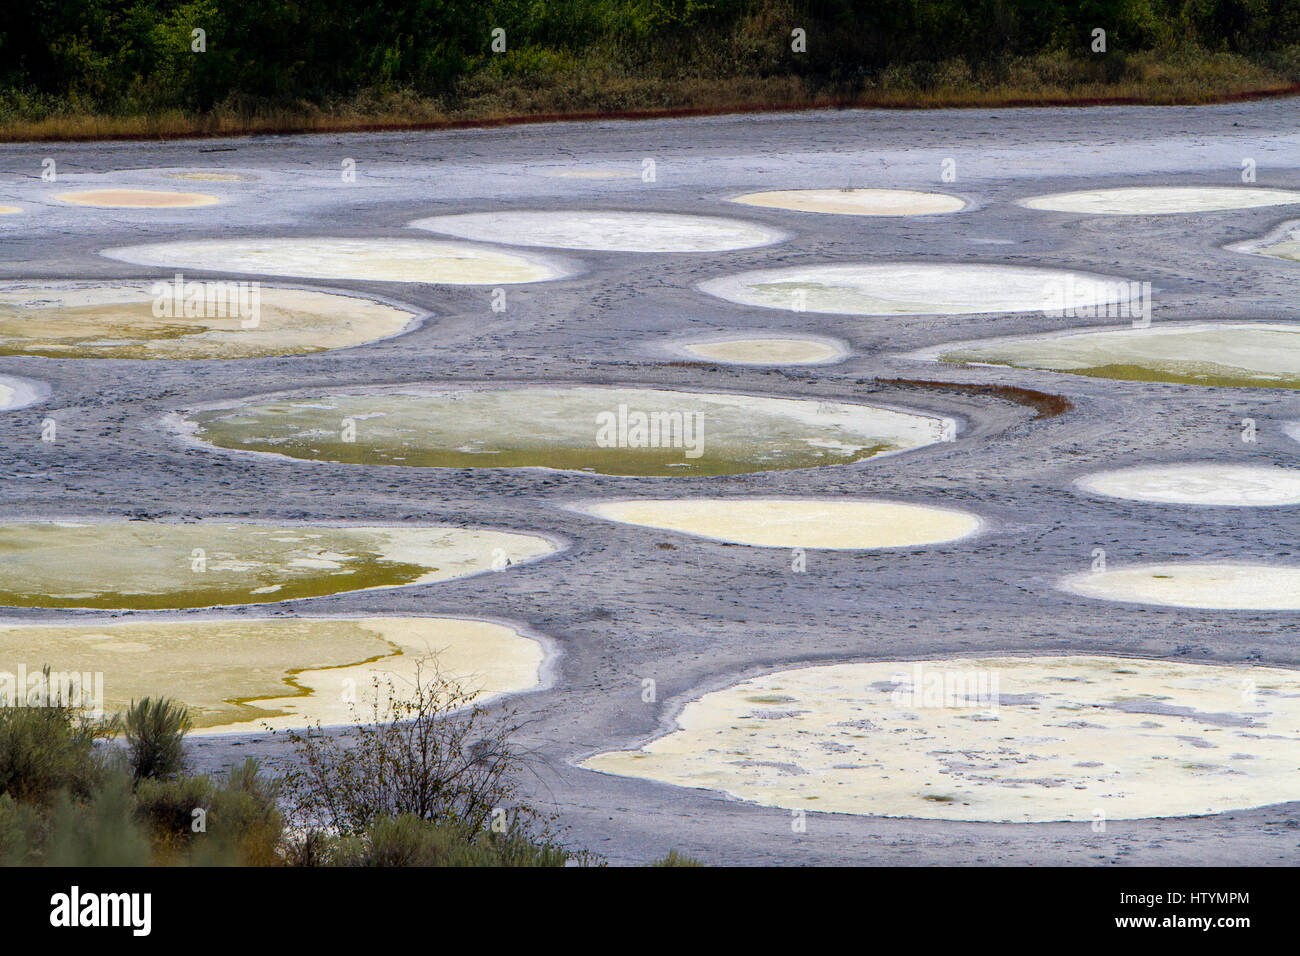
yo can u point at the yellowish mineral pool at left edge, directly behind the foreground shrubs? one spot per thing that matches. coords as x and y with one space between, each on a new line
253 674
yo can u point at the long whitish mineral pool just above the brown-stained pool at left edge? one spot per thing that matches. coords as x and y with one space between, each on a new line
382 261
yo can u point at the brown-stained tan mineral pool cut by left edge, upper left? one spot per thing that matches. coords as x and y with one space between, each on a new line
124 321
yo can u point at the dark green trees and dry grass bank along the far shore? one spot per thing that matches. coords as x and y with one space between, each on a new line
428 59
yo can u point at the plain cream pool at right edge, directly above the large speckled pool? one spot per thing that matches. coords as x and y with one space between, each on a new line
1211 586
